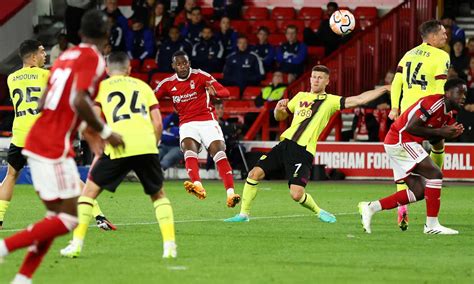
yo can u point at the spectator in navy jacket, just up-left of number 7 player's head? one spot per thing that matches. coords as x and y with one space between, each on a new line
292 54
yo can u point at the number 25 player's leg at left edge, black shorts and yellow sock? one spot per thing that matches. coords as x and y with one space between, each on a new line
16 161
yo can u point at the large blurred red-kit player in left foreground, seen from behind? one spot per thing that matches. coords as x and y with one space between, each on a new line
67 101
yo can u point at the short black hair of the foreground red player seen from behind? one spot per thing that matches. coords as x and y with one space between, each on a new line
94 24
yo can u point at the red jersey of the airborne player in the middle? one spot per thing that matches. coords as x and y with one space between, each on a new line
190 98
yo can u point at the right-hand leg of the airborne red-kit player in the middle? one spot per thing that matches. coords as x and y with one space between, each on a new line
217 151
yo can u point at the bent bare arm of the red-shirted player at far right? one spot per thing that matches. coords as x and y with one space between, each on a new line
416 126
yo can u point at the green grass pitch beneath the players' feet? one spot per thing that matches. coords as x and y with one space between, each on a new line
283 244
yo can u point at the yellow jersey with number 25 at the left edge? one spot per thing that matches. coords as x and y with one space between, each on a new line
26 88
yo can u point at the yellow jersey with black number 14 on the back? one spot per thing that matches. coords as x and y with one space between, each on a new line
421 72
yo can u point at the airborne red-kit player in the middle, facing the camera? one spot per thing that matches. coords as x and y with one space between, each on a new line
191 91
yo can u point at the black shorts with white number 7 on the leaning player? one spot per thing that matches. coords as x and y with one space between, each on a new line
294 158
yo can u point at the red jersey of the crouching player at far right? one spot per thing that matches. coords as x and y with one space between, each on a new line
430 109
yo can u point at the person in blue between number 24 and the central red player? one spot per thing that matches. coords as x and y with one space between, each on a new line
170 152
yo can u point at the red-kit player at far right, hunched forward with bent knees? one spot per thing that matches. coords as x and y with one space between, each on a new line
430 117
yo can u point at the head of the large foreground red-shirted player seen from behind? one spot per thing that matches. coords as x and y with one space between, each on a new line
94 28
